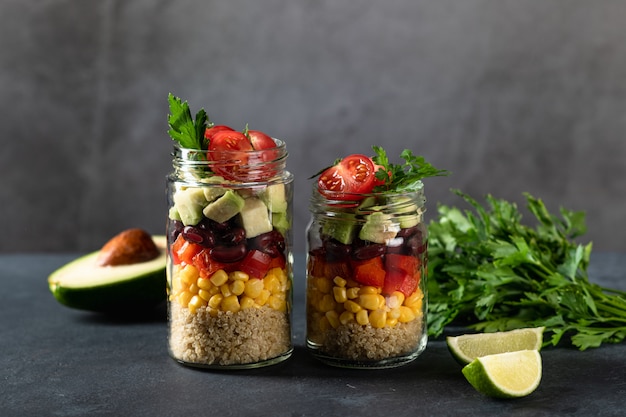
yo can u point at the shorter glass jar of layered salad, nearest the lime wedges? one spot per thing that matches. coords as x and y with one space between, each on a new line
366 279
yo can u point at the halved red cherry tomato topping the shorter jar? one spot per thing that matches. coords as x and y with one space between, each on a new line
355 174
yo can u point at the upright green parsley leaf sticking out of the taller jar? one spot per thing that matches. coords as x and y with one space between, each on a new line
183 129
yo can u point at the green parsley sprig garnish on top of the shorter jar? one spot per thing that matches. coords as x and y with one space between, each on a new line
403 177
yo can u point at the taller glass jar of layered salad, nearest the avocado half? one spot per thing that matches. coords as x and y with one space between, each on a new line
229 257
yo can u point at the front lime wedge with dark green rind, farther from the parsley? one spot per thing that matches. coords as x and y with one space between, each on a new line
505 375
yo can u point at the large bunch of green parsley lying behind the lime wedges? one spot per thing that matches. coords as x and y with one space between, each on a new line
489 271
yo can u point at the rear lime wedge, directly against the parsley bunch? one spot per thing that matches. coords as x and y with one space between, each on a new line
467 347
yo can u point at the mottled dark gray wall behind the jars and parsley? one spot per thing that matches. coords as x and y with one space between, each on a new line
510 95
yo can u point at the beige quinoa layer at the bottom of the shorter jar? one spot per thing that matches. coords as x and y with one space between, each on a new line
366 343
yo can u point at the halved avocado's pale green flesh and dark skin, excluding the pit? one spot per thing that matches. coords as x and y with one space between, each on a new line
82 284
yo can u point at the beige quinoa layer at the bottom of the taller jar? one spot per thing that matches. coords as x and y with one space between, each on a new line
248 336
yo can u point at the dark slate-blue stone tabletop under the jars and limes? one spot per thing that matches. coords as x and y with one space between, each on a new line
56 361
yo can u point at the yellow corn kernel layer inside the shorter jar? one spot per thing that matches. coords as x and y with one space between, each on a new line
338 301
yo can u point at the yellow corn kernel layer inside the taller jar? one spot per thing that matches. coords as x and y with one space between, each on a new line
224 291
